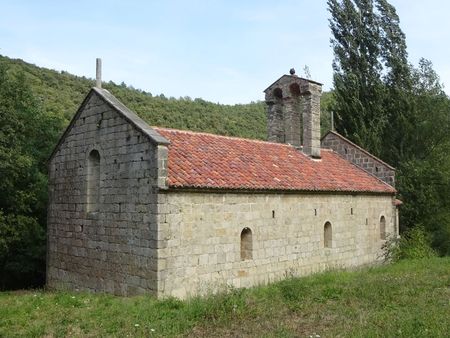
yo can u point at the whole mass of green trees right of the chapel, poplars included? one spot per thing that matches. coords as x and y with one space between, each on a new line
396 111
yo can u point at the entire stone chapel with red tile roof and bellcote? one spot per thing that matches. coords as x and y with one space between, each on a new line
136 209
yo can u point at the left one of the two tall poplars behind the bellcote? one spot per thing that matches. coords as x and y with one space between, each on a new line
357 85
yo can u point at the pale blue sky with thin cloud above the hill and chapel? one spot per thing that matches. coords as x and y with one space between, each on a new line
225 51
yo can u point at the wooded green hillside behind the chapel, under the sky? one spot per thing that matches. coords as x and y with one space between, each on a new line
61 93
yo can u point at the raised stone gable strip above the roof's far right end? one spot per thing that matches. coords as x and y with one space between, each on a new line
356 155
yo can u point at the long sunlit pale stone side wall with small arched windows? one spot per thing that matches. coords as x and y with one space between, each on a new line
202 233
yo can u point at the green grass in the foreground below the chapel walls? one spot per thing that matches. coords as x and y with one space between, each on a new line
406 299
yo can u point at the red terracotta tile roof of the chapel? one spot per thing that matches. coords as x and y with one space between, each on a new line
200 160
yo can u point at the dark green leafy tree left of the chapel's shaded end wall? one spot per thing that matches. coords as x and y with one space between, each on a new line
26 136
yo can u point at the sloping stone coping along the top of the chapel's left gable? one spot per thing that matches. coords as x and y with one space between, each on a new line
122 110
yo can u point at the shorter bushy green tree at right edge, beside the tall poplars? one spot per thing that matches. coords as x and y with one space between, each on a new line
424 168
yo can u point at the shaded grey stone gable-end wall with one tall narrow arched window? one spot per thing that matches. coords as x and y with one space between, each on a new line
112 248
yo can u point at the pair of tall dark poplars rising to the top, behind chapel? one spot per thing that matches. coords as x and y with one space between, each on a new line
370 52
